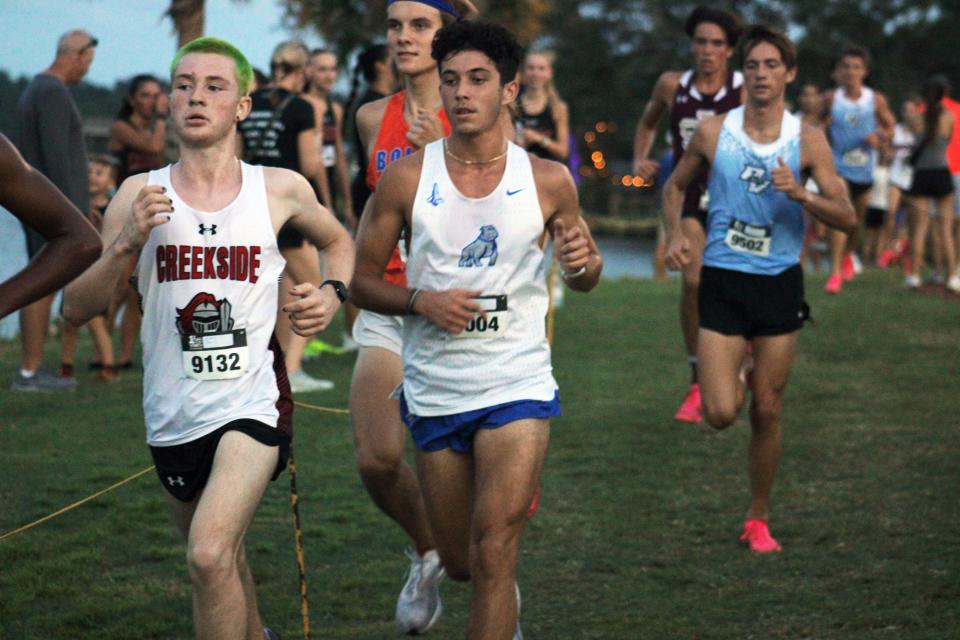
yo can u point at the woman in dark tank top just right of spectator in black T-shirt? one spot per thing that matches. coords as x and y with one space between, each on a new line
321 76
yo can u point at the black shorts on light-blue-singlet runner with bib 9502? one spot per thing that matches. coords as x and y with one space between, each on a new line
745 304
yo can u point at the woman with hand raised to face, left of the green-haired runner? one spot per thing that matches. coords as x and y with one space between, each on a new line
138 138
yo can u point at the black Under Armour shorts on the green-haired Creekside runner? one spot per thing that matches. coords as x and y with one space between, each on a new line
185 468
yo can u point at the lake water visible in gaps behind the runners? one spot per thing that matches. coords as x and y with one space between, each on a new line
622 257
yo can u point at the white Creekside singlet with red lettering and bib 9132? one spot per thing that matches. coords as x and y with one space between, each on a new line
208 283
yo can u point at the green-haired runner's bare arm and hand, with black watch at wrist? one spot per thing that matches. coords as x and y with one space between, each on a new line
292 199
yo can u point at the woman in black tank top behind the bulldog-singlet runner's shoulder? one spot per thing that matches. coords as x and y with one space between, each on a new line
543 125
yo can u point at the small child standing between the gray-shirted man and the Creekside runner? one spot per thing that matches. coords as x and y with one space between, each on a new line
101 171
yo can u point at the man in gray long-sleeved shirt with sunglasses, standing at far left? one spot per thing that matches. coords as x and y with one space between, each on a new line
50 137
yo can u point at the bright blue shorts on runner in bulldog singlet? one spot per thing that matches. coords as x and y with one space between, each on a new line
456 431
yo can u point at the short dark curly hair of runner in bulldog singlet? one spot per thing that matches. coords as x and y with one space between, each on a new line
489 38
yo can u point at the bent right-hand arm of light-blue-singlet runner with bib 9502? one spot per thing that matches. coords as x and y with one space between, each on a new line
832 206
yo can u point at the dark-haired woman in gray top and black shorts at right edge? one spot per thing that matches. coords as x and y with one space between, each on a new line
932 182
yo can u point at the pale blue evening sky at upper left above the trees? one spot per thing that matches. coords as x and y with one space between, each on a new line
134 36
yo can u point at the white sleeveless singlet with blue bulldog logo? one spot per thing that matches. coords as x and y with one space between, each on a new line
489 244
